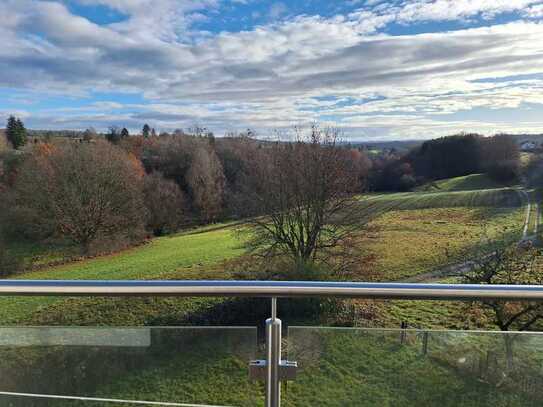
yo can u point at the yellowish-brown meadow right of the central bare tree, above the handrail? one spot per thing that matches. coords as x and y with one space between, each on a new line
408 242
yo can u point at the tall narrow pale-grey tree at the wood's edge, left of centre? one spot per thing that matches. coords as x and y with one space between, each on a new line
206 183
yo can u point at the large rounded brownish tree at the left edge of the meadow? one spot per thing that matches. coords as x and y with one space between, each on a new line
83 192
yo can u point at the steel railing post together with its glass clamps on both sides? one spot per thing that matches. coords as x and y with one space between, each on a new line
273 370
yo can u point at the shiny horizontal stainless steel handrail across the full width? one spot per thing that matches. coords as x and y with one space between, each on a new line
208 288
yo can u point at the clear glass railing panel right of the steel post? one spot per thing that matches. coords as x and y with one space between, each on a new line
365 367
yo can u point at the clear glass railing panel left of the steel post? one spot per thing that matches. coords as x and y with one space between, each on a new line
185 365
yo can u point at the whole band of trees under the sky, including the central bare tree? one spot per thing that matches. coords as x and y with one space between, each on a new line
299 195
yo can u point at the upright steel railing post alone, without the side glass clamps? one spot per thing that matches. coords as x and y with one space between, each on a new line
273 358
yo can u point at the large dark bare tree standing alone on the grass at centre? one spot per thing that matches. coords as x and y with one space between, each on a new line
304 191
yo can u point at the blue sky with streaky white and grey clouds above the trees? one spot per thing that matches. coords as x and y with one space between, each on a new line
379 69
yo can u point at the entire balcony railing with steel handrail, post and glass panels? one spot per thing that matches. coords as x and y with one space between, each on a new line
57 366
